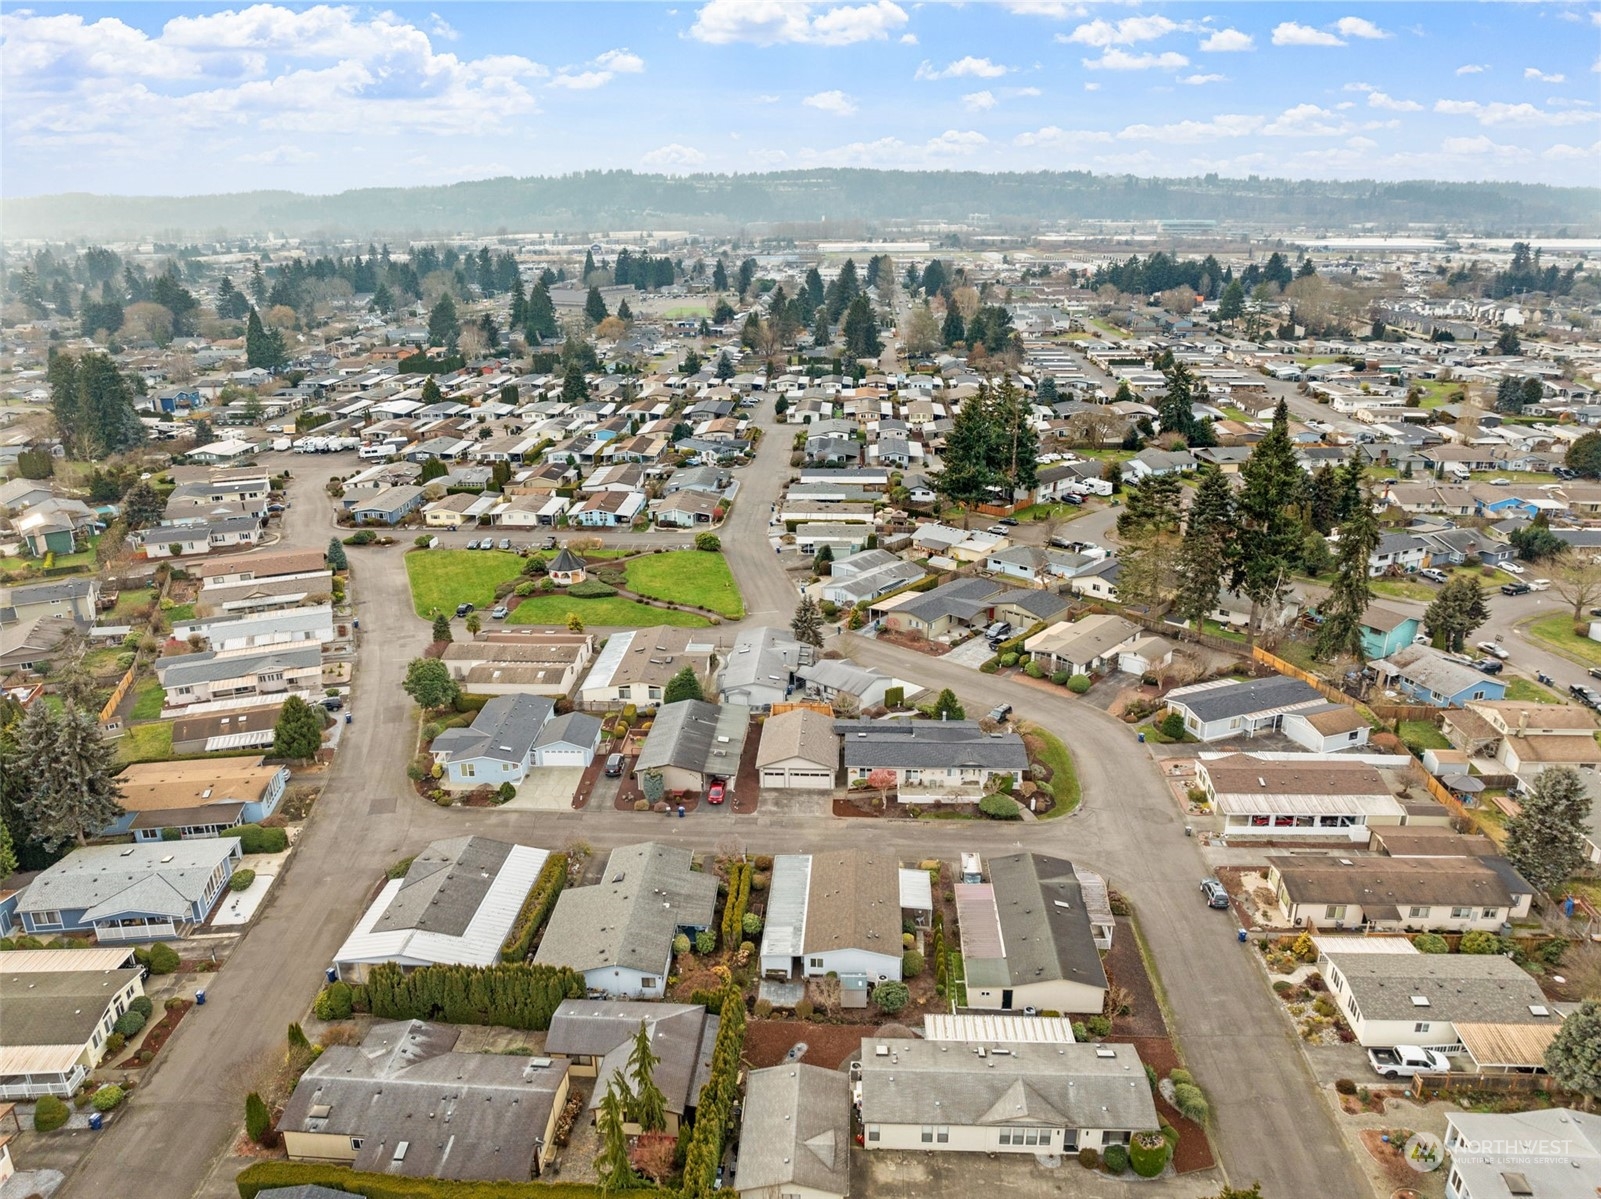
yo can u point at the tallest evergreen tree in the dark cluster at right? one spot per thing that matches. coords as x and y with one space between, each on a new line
1270 527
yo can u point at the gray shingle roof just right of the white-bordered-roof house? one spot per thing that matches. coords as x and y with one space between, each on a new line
628 920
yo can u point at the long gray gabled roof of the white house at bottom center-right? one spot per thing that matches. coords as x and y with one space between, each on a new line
1035 1085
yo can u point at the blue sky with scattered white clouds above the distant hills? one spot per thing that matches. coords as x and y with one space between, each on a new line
188 98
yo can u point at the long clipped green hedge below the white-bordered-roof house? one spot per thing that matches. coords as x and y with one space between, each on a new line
513 995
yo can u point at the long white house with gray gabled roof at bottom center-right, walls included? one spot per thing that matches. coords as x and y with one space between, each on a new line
1035 1099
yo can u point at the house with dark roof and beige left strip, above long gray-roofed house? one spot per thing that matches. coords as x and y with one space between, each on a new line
1027 939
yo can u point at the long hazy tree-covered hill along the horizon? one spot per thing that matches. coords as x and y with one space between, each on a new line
596 201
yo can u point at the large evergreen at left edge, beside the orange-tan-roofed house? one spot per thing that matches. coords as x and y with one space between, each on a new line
68 777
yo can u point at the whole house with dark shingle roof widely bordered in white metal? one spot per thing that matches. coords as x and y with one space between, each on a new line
455 905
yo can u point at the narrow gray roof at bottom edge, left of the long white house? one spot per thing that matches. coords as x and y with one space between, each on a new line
796 1131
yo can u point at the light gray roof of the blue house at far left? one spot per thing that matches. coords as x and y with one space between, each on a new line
158 880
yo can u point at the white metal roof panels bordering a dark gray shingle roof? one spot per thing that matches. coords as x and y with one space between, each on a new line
479 945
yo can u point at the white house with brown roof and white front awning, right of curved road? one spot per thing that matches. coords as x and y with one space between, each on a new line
1333 800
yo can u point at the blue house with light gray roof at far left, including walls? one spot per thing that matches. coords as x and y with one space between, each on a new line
130 892
